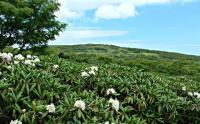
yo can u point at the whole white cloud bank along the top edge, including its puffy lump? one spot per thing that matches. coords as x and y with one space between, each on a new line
106 9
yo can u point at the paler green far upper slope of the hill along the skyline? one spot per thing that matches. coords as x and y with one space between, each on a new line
112 50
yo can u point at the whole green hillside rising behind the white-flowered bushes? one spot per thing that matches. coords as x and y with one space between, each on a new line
157 62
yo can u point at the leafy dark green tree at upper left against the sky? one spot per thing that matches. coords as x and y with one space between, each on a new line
28 23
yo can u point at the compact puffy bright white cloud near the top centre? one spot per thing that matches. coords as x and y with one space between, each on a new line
122 11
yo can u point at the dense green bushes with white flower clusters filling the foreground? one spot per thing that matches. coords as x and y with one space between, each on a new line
83 93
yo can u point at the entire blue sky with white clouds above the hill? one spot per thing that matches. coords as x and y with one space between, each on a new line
166 25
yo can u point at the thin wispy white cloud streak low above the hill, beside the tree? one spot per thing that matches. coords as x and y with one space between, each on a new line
78 35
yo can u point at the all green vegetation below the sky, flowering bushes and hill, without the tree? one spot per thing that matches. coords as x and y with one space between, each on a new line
70 85
